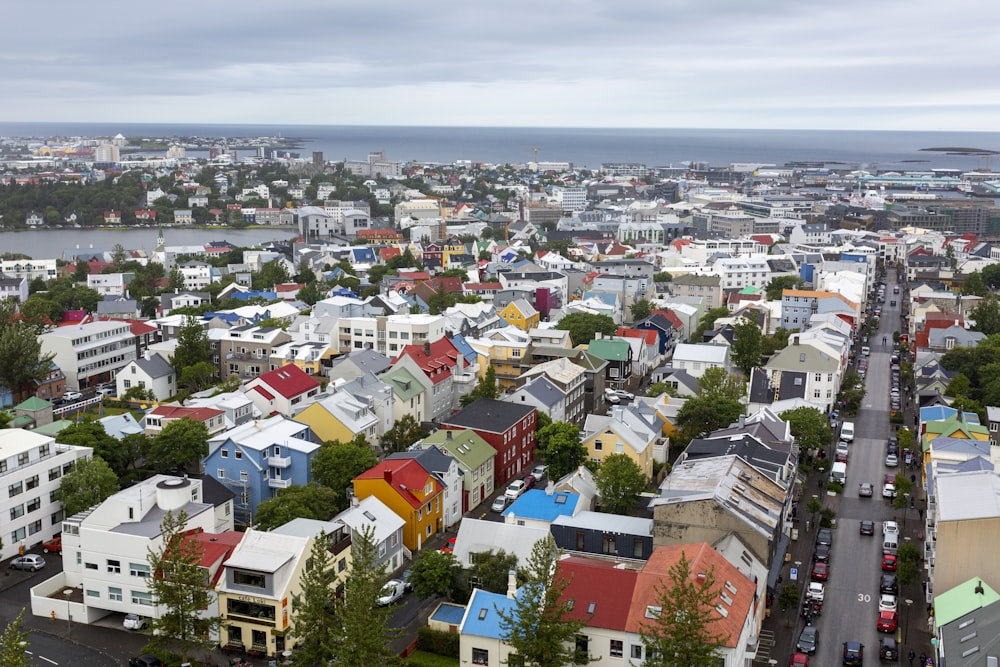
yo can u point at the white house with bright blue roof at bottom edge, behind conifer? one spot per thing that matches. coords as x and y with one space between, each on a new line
480 635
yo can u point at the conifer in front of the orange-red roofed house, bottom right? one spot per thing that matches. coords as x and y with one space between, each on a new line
682 632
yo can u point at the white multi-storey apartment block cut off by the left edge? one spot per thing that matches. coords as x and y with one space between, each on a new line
31 466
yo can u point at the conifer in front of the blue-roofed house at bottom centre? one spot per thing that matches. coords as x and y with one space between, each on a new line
538 626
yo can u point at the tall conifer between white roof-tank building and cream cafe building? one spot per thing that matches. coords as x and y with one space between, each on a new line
180 591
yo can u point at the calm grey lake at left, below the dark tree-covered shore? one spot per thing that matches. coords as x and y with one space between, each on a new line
50 243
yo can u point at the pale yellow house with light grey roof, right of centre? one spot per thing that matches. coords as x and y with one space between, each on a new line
621 432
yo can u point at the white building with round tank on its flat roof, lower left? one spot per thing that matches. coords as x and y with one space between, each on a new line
105 549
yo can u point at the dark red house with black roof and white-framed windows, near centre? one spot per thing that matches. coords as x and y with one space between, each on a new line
510 430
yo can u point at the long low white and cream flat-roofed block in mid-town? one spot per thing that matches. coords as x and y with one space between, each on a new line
388 335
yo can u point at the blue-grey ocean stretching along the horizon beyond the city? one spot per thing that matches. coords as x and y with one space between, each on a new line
584 147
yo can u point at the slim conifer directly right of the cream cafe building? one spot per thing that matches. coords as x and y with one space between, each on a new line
313 627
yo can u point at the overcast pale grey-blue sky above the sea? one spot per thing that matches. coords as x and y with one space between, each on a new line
844 64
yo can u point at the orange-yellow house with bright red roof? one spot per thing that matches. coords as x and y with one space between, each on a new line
409 490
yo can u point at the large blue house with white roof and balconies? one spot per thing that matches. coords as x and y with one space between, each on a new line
257 459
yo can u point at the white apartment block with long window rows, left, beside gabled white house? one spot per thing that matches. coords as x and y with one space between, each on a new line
92 352
